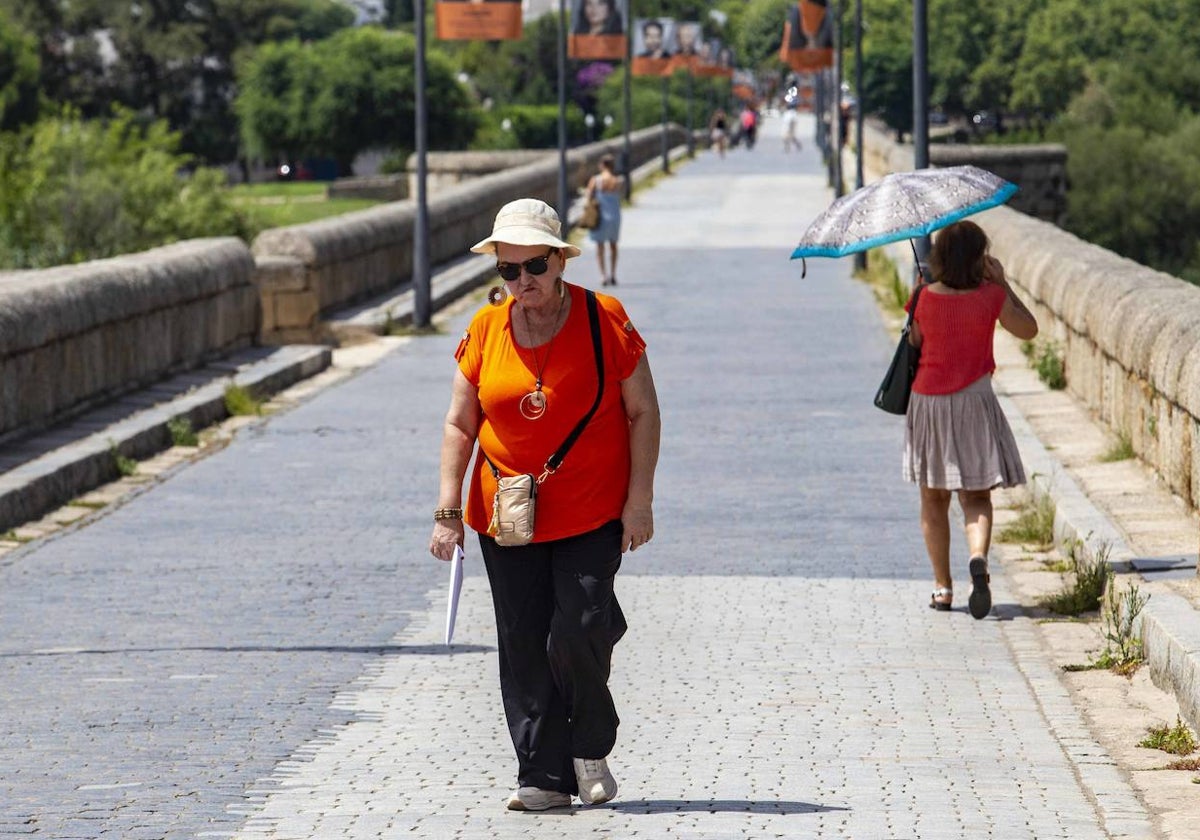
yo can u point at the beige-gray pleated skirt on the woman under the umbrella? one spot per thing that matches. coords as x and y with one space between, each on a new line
961 441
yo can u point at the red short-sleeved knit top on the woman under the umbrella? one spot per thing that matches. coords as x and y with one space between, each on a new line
957 334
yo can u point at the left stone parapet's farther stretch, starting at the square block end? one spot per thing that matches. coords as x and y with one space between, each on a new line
310 269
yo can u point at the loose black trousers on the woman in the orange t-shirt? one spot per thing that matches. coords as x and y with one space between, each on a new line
557 621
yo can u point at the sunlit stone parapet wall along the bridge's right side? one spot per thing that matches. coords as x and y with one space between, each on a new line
1130 337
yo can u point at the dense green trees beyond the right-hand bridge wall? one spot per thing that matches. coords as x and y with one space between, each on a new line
1119 83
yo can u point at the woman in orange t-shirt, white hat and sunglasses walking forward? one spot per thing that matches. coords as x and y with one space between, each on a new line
527 377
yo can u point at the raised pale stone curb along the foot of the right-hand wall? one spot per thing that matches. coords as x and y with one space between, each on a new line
1169 627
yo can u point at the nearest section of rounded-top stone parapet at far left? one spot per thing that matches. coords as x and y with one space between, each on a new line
79 335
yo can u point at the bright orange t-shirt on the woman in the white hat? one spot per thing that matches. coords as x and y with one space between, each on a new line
590 488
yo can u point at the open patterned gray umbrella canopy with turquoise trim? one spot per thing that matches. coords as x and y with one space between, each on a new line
902 206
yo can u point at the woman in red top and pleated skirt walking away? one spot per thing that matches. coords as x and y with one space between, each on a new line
957 437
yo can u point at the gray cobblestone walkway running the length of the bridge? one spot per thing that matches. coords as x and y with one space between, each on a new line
253 649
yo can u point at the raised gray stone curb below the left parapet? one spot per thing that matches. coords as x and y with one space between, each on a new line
79 455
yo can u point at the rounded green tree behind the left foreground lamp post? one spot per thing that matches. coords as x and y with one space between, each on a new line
346 94
